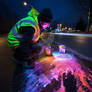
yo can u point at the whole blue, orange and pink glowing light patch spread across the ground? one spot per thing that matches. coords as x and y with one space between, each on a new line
51 67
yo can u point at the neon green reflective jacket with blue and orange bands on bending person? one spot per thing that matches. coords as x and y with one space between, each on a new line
16 33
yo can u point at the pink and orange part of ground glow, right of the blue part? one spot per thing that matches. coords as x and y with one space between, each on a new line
64 66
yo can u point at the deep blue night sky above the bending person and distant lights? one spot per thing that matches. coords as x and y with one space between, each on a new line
66 11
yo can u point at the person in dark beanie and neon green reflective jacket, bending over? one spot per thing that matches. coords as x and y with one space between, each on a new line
23 37
